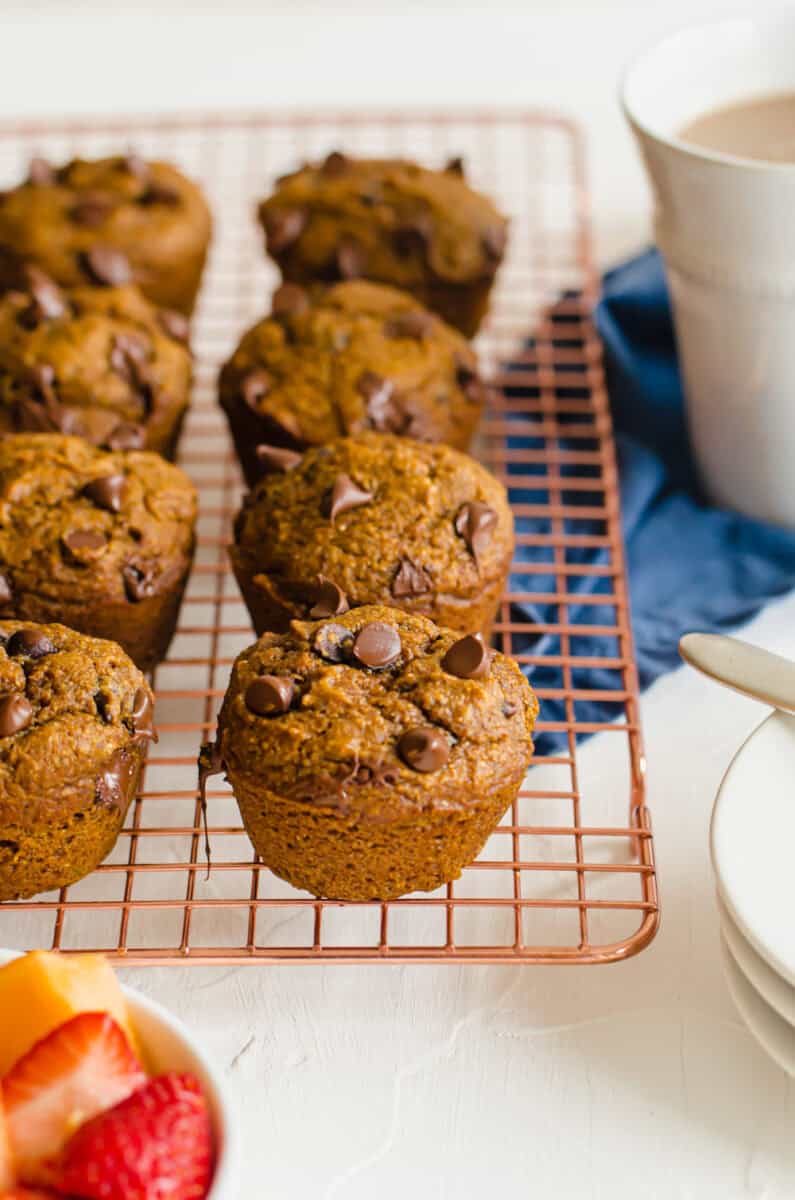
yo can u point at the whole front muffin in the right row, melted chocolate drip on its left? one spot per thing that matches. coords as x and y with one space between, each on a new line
373 755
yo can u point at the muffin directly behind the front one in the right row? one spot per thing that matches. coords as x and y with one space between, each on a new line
375 519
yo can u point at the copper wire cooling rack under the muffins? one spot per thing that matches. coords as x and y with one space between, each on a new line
569 877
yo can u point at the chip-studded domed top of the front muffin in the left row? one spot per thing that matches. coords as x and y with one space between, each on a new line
69 705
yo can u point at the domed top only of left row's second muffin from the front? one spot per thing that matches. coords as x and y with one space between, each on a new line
86 525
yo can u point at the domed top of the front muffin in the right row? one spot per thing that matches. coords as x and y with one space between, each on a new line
378 713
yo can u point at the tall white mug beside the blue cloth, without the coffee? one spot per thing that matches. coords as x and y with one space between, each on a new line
726 227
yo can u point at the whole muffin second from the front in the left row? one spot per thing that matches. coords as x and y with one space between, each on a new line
98 541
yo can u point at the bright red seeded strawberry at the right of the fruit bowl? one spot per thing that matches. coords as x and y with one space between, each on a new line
157 1145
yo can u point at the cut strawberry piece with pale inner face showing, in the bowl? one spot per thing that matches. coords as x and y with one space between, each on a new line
80 1070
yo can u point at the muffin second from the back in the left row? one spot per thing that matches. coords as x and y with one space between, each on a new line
100 363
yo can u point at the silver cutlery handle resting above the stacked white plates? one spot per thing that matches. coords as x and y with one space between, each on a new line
744 668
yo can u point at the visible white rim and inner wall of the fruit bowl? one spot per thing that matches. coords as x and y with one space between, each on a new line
168 1046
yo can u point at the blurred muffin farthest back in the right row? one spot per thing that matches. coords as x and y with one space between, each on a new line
427 232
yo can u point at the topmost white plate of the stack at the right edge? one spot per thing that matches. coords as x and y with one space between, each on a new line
754 842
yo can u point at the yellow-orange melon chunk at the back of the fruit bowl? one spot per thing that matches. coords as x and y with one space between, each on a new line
43 991
